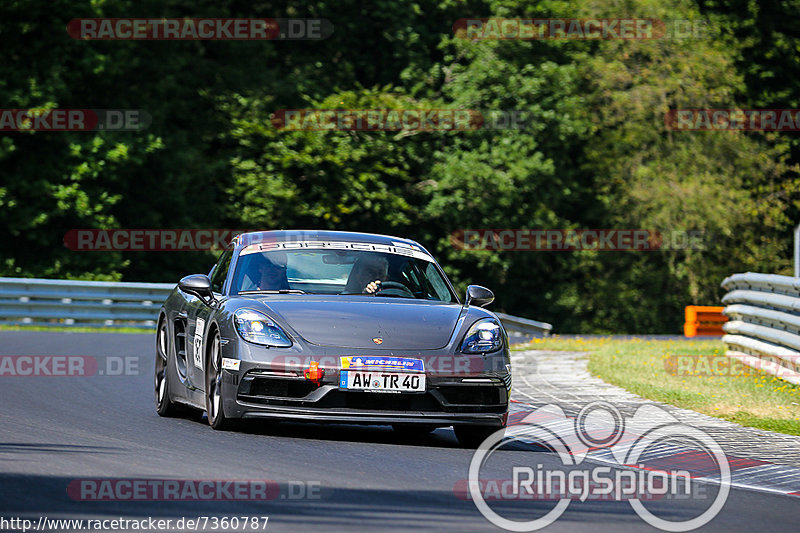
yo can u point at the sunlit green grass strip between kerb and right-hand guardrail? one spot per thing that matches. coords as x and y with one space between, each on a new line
673 371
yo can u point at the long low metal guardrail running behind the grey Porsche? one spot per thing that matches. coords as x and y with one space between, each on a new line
58 303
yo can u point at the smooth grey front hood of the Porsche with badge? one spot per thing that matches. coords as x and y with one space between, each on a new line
354 323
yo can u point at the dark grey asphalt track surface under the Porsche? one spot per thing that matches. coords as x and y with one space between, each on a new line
59 429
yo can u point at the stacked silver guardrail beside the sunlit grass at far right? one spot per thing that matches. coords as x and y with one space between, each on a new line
763 330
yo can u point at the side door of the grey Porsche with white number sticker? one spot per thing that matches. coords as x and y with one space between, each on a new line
199 315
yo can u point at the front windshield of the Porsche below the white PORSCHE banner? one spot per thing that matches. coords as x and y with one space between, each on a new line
342 272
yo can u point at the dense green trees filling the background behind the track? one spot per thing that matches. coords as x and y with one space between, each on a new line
594 154
